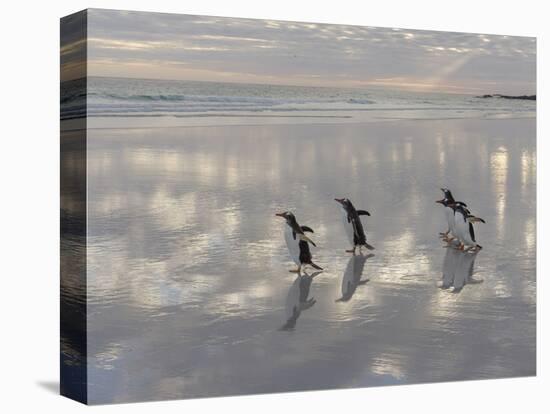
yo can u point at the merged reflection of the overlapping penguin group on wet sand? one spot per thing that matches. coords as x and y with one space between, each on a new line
458 269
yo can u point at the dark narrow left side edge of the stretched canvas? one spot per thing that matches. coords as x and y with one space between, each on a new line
73 348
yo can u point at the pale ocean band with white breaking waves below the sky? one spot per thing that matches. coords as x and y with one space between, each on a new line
189 102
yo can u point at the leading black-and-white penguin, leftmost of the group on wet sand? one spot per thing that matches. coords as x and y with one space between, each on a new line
297 242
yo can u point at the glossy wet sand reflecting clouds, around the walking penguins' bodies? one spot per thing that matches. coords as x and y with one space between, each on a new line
189 292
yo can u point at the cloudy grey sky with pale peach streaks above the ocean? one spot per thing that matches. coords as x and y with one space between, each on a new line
173 46
